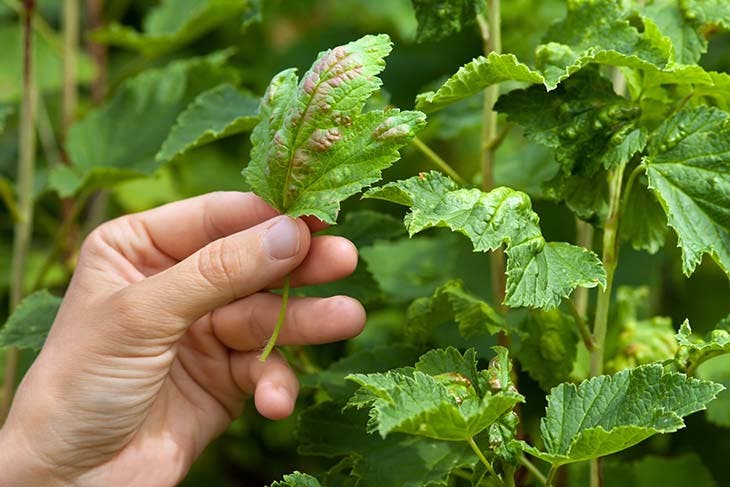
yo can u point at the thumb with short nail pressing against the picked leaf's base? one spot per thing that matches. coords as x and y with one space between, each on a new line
224 270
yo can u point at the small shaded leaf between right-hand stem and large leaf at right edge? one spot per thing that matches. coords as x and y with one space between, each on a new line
643 222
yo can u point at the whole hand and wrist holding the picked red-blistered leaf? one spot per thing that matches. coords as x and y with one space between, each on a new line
155 348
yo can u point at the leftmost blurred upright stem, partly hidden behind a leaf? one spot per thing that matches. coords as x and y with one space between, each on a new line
26 177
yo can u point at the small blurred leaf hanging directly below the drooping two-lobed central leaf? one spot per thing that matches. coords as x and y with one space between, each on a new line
548 347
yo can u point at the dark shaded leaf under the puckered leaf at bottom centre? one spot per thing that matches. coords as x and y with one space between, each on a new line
397 461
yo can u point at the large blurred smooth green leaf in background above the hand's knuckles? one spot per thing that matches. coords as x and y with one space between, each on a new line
120 139
